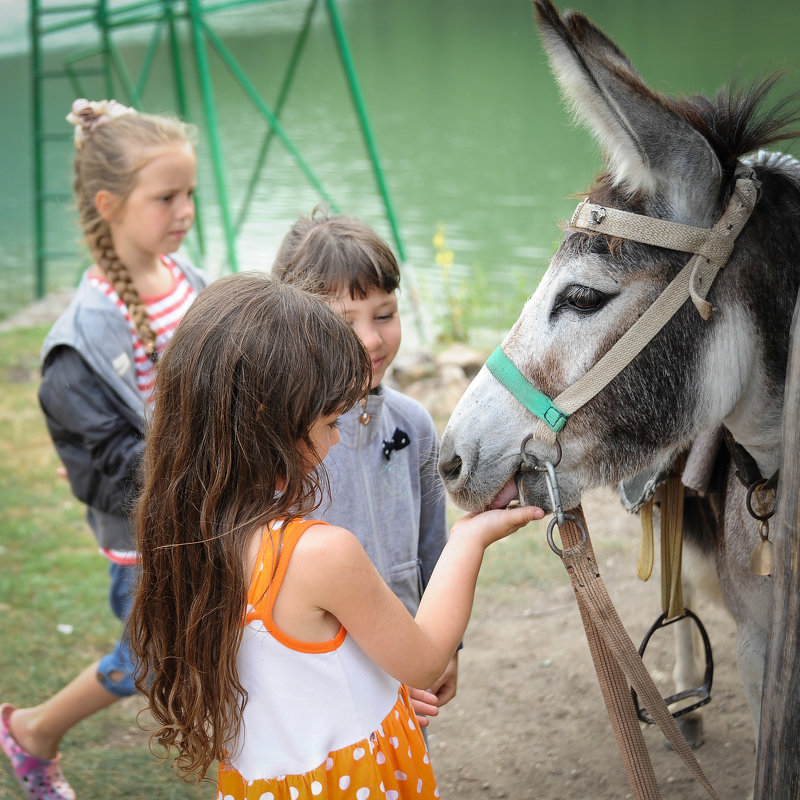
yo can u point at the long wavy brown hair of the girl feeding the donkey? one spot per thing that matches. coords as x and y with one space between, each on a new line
253 364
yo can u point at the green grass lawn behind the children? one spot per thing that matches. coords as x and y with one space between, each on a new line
53 595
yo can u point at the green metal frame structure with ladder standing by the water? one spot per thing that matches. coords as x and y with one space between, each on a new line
104 61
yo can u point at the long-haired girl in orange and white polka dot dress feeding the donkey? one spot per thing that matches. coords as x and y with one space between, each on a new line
267 641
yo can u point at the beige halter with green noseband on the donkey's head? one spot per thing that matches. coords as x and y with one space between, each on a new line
711 248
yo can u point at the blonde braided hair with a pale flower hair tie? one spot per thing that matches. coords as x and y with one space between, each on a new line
112 143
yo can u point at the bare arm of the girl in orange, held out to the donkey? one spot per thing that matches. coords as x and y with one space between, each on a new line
330 574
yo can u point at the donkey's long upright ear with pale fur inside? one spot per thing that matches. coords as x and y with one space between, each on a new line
649 148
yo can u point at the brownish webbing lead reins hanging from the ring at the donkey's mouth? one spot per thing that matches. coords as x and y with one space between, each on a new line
618 663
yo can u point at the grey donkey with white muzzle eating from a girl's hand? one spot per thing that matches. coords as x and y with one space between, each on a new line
718 360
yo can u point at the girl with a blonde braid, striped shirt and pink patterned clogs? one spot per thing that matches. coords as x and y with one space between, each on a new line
134 185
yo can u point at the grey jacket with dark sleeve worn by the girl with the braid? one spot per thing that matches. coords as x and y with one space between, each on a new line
93 407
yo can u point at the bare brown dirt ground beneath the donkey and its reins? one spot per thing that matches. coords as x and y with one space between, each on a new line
529 719
